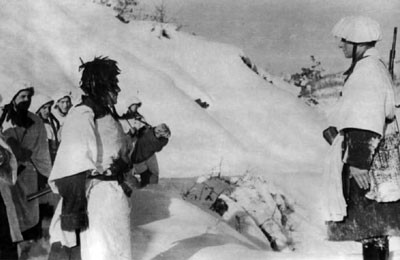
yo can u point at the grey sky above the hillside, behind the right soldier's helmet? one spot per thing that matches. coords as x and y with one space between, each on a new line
280 35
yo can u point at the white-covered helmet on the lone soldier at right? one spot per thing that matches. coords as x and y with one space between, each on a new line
358 29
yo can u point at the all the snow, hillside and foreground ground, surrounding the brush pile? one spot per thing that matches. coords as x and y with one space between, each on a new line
251 126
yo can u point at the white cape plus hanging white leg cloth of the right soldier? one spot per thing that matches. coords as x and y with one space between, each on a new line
367 100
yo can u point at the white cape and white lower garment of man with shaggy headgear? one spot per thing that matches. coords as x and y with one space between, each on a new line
89 144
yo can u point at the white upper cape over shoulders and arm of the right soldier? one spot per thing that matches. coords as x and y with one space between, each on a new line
367 97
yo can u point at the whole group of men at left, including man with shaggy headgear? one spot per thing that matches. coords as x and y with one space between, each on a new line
85 152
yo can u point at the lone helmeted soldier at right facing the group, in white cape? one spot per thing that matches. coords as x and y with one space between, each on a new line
367 103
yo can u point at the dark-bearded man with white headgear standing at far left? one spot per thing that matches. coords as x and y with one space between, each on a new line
25 133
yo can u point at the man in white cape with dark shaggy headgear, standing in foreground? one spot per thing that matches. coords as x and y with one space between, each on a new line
88 173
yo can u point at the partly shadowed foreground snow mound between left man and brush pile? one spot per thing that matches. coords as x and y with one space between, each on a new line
167 227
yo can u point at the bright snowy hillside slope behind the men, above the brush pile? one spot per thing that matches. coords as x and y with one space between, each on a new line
238 131
